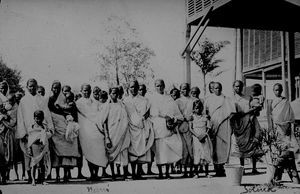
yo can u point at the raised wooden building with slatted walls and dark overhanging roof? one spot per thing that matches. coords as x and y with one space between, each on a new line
268 39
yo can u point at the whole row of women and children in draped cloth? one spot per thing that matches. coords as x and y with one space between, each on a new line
176 130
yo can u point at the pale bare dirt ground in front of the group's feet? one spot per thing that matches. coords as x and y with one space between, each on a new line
250 184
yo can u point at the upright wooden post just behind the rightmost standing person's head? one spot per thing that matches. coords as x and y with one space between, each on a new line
283 68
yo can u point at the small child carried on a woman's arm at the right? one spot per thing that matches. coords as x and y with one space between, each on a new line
257 99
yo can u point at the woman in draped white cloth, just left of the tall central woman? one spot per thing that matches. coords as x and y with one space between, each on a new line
140 128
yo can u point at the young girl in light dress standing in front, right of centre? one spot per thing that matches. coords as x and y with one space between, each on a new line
202 146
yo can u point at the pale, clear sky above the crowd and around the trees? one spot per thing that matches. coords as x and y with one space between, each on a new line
60 39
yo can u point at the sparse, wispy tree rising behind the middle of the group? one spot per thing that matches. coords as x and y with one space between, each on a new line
125 58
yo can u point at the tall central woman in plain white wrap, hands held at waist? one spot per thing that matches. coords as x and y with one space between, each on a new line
168 143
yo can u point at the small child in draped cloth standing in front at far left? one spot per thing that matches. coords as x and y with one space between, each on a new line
38 147
